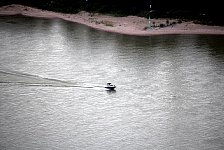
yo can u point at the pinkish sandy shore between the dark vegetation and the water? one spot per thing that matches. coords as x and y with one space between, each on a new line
130 25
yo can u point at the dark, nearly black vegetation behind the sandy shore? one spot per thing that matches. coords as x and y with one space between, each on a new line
200 11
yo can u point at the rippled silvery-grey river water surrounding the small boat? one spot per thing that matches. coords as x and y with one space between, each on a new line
169 93
